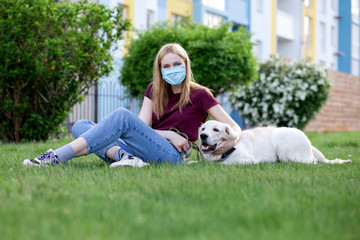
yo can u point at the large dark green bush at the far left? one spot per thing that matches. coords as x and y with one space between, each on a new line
51 53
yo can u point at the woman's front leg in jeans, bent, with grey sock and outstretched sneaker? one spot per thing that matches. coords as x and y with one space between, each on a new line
142 140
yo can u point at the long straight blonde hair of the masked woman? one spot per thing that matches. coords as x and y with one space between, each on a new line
160 89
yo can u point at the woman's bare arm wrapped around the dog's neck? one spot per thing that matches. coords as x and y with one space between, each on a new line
219 114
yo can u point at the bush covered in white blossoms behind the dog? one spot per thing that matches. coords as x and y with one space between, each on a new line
285 94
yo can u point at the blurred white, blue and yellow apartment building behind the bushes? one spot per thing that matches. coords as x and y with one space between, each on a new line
323 31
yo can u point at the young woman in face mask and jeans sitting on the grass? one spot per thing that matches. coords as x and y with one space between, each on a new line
172 100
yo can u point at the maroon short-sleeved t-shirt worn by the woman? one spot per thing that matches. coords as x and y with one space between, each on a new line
191 116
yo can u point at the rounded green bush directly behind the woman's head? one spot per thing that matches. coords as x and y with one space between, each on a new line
220 59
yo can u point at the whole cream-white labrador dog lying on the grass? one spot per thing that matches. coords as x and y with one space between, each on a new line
263 144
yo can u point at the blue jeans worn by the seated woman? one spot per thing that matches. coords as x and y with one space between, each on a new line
123 128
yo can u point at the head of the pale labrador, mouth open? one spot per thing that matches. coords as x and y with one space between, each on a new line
211 134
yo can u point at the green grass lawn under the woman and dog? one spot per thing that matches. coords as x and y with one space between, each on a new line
85 199
